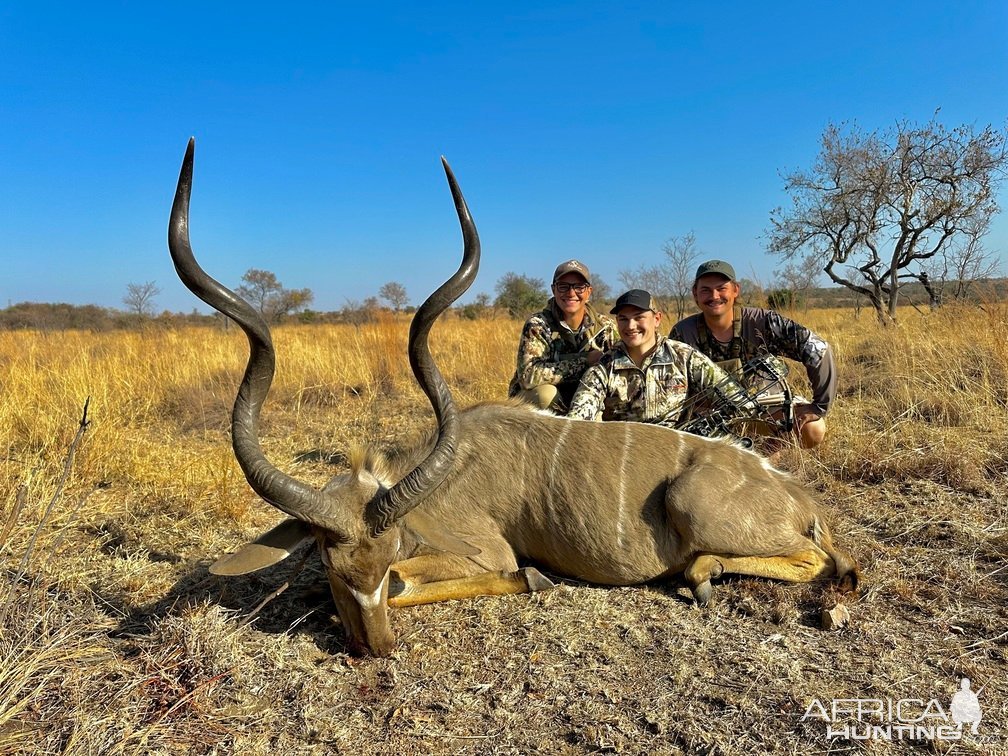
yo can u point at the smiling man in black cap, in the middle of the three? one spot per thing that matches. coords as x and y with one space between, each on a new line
647 377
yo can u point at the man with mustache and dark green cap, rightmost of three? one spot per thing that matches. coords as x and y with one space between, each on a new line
727 332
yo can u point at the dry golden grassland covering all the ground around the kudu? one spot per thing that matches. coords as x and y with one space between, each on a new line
114 640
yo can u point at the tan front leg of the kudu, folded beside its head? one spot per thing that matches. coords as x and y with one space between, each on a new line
425 580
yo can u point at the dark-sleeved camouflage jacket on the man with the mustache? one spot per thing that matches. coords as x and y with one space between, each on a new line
763 332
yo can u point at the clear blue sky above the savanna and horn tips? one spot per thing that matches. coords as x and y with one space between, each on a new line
588 130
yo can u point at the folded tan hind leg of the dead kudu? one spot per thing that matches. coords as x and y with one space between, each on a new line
801 567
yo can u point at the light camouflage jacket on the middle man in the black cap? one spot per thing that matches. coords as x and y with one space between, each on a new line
661 392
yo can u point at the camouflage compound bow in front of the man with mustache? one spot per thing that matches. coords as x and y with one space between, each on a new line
752 401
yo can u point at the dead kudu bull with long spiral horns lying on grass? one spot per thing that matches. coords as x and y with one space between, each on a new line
450 517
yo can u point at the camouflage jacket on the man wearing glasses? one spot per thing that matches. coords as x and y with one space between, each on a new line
552 353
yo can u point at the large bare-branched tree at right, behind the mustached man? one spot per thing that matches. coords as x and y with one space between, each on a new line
876 207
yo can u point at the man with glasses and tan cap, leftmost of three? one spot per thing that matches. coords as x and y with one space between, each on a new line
561 343
